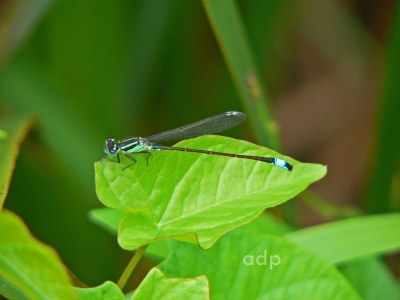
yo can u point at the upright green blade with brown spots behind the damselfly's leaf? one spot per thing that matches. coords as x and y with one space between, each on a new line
231 35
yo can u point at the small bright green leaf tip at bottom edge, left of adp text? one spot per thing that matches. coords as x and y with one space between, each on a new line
157 286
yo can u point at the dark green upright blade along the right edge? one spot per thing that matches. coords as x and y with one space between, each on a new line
383 195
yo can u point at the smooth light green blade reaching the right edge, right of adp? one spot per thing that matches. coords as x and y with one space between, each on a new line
352 238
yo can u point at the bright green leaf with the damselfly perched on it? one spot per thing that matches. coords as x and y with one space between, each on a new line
196 197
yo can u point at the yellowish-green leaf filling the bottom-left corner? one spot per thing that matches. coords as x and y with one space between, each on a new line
28 268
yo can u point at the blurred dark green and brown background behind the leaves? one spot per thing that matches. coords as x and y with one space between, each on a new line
92 69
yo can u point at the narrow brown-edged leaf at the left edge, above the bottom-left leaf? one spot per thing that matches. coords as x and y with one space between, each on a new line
14 131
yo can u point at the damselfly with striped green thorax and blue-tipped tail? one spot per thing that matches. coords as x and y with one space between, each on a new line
210 125
